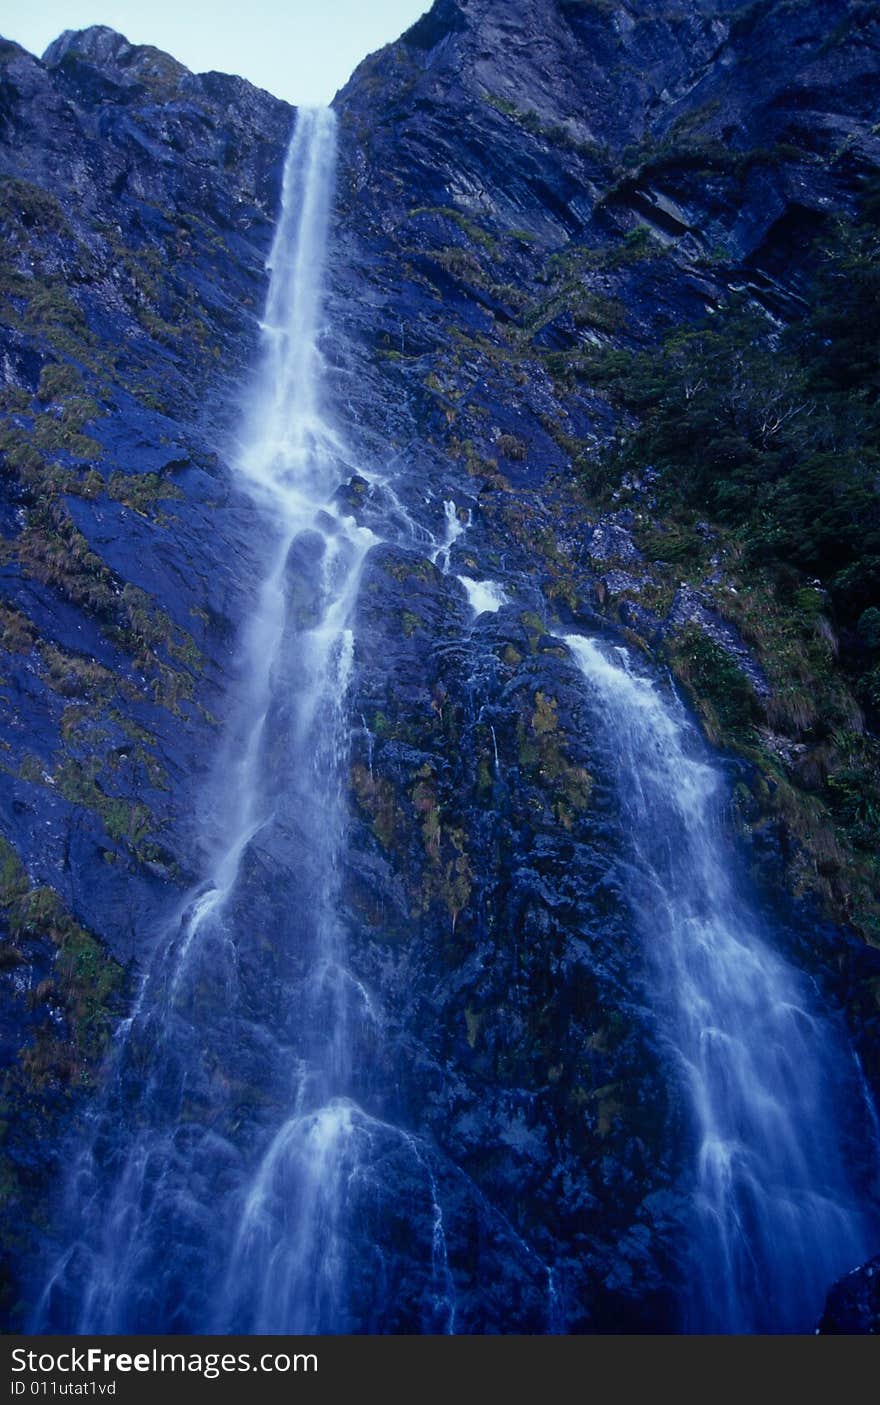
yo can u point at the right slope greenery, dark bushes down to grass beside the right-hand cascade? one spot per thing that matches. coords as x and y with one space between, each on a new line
775 439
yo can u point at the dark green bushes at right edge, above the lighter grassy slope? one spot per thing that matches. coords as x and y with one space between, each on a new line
778 438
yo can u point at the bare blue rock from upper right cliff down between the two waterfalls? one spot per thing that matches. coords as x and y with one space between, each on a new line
522 185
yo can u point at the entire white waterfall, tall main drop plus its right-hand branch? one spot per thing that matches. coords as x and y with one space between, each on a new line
261 1208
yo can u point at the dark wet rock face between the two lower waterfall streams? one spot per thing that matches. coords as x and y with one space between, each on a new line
498 943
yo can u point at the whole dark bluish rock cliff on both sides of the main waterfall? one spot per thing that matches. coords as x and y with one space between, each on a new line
521 186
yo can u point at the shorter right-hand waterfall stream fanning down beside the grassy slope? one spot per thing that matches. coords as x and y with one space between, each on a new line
767 1076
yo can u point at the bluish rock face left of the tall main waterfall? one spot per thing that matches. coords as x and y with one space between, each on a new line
137 204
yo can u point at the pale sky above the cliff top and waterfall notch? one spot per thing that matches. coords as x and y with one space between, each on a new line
300 50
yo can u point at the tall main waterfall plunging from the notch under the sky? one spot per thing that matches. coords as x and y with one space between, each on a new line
238 1038
